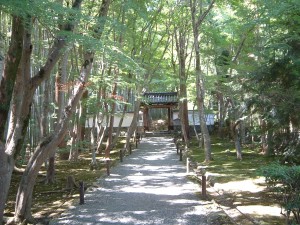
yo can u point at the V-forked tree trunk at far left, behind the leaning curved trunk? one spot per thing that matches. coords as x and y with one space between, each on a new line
22 99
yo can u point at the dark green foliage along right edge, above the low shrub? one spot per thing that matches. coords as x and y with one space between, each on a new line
273 86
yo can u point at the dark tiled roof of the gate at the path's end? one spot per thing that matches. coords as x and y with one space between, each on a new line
160 98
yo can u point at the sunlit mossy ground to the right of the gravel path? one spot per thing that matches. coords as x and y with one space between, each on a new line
236 186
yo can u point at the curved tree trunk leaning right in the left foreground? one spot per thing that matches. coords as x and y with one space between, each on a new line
47 146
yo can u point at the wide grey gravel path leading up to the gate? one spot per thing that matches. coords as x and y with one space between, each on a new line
149 187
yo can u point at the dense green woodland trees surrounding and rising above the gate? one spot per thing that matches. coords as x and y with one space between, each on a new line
239 60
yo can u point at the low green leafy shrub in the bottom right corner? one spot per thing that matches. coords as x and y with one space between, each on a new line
284 182
